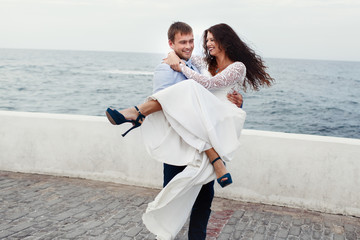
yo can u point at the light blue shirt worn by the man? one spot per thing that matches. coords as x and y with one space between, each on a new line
165 77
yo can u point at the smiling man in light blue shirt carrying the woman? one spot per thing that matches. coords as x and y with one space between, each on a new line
181 40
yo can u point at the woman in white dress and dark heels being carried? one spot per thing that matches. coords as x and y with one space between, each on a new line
191 117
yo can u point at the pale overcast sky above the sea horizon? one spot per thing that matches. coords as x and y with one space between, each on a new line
306 29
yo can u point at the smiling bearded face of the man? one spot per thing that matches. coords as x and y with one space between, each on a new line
183 45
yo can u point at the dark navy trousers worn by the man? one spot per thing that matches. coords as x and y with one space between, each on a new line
201 210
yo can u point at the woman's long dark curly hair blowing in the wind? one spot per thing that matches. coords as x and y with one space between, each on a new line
237 50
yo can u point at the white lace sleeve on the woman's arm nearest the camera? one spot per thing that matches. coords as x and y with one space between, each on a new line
234 74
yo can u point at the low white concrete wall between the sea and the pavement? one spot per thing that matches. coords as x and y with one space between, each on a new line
304 171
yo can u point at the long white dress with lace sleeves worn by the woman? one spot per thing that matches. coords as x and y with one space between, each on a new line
196 116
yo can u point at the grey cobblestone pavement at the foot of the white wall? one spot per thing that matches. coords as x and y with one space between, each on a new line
47 207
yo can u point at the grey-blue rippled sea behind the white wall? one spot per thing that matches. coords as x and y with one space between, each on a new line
313 97
